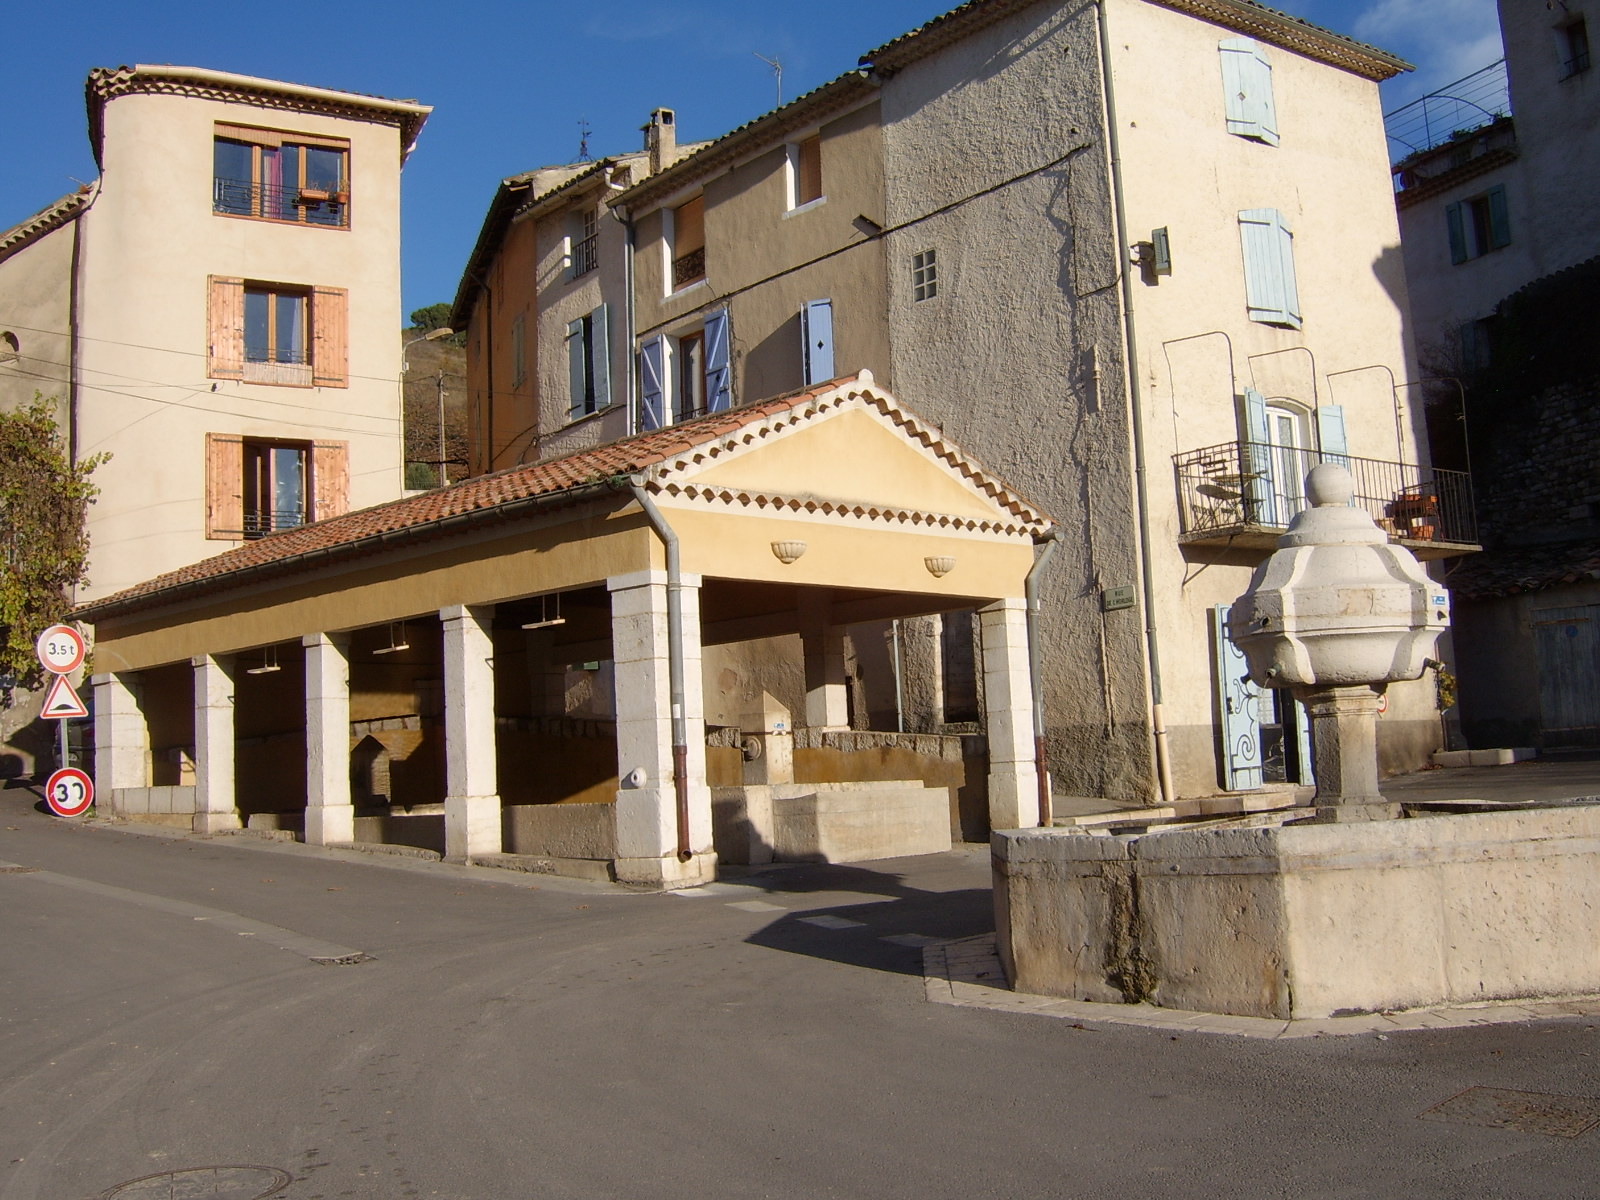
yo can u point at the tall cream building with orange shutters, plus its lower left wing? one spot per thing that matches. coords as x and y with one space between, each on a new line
218 311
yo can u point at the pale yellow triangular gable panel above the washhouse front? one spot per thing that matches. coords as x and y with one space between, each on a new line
854 458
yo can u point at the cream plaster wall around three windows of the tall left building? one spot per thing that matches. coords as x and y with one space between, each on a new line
151 242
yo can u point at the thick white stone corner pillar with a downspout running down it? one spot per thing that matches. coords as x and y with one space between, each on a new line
647 822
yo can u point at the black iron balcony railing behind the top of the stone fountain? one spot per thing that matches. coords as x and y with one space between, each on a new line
1246 494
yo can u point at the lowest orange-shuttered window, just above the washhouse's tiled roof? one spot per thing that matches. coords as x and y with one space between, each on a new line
262 486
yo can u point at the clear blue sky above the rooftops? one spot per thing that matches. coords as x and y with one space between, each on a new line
510 82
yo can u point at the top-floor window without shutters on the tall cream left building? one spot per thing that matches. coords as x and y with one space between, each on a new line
281 177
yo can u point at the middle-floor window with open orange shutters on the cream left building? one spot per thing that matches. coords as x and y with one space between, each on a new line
278 334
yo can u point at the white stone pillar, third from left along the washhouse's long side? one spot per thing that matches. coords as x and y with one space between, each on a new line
330 815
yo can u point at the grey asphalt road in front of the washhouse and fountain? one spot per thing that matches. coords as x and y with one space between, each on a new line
174 1002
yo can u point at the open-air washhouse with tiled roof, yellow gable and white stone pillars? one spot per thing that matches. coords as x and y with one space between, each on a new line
519 665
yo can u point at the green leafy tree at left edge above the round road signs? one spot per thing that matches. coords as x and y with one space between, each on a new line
44 510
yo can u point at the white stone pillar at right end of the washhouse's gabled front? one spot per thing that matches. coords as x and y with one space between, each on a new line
1009 703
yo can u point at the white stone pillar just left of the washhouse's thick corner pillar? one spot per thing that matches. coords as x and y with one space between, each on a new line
473 812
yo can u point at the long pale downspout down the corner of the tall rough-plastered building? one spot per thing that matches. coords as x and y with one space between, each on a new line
1164 767
